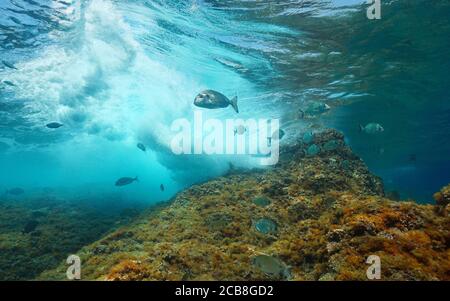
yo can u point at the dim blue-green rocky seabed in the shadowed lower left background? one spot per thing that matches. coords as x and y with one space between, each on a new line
36 234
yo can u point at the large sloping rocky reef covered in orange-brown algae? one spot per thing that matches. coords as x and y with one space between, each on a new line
317 215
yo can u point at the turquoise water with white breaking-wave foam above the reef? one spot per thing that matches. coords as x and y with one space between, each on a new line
118 73
